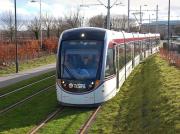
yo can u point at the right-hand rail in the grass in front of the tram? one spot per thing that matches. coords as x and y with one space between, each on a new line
87 124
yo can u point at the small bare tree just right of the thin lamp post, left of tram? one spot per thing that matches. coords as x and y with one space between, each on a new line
47 22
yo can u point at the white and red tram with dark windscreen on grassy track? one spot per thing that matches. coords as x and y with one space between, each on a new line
93 63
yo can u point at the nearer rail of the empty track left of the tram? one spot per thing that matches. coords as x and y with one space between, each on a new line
24 100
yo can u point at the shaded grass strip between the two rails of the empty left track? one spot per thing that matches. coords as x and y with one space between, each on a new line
22 94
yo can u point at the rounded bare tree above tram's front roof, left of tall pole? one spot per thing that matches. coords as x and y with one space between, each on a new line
97 21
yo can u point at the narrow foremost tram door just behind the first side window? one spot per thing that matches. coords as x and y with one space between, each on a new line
117 65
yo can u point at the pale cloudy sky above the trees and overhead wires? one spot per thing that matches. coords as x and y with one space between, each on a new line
59 8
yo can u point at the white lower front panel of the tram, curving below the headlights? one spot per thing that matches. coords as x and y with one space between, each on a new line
101 94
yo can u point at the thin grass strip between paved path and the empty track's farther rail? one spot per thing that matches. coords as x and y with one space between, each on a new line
25 82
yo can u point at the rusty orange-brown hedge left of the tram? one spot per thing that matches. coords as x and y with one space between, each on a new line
27 50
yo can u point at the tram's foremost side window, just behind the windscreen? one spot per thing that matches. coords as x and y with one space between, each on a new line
110 69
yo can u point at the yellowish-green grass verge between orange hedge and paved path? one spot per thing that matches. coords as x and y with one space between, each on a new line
29 65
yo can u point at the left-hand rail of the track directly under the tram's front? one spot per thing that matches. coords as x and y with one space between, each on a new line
49 117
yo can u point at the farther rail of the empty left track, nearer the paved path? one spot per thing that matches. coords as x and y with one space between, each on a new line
16 90
